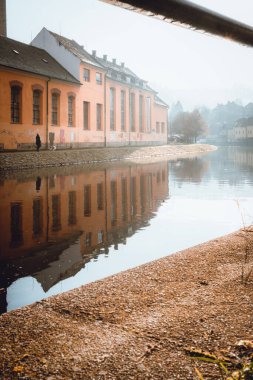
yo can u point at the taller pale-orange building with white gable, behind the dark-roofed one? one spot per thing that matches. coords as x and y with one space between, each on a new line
117 104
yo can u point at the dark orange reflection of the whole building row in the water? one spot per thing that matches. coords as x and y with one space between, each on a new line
40 228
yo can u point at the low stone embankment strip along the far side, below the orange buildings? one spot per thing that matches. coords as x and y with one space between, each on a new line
32 159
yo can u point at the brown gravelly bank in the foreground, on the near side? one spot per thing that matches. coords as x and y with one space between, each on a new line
137 324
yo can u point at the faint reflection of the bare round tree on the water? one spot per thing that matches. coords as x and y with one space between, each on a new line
190 169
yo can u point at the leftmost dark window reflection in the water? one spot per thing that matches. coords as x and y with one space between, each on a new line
16 224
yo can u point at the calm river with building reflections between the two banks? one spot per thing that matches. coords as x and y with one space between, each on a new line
65 227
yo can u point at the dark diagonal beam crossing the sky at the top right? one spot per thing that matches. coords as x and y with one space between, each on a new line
192 16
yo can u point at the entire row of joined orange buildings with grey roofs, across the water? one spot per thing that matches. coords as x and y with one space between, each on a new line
73 99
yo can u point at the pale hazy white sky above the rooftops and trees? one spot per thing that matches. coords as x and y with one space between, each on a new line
181 64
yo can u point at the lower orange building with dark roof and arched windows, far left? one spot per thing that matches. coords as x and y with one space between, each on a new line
36 93
